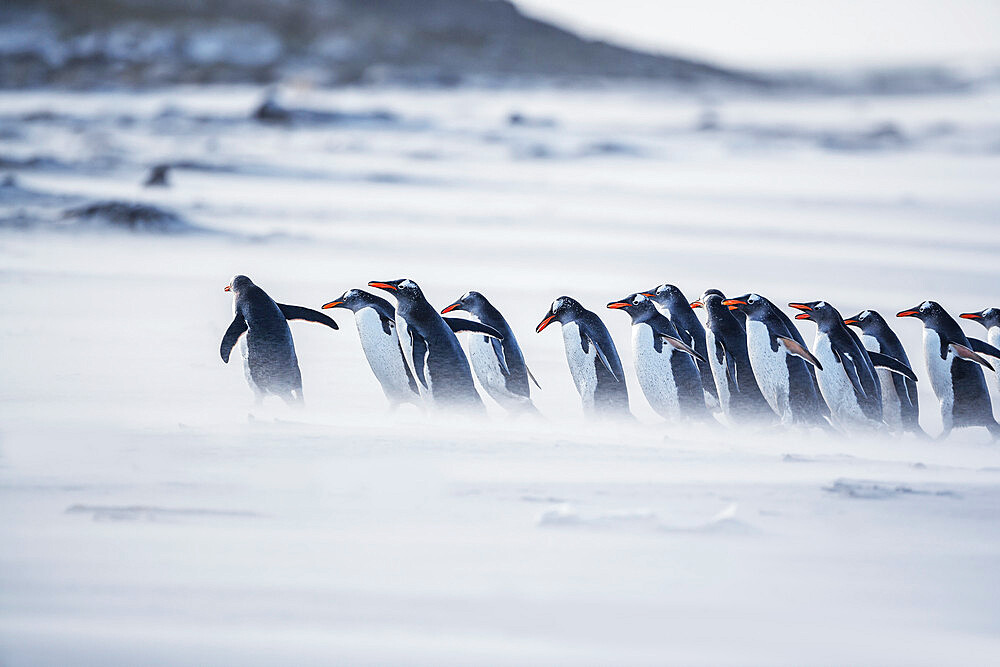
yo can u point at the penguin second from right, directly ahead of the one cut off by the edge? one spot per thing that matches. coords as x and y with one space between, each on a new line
955 369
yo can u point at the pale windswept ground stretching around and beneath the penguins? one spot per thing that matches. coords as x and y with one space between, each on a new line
145 519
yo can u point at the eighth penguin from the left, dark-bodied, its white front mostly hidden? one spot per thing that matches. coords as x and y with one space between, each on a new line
726 340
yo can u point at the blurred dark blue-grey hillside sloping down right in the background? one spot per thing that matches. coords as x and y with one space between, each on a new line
96 43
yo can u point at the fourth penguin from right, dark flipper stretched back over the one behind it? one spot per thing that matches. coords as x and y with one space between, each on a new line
847 379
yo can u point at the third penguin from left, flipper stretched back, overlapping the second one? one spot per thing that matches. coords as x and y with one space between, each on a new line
432 351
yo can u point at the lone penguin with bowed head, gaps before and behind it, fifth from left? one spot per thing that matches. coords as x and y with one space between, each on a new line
592 357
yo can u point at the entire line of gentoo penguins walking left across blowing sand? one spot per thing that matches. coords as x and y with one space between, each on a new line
748 360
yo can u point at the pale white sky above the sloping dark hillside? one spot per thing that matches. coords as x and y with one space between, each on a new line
789 33
